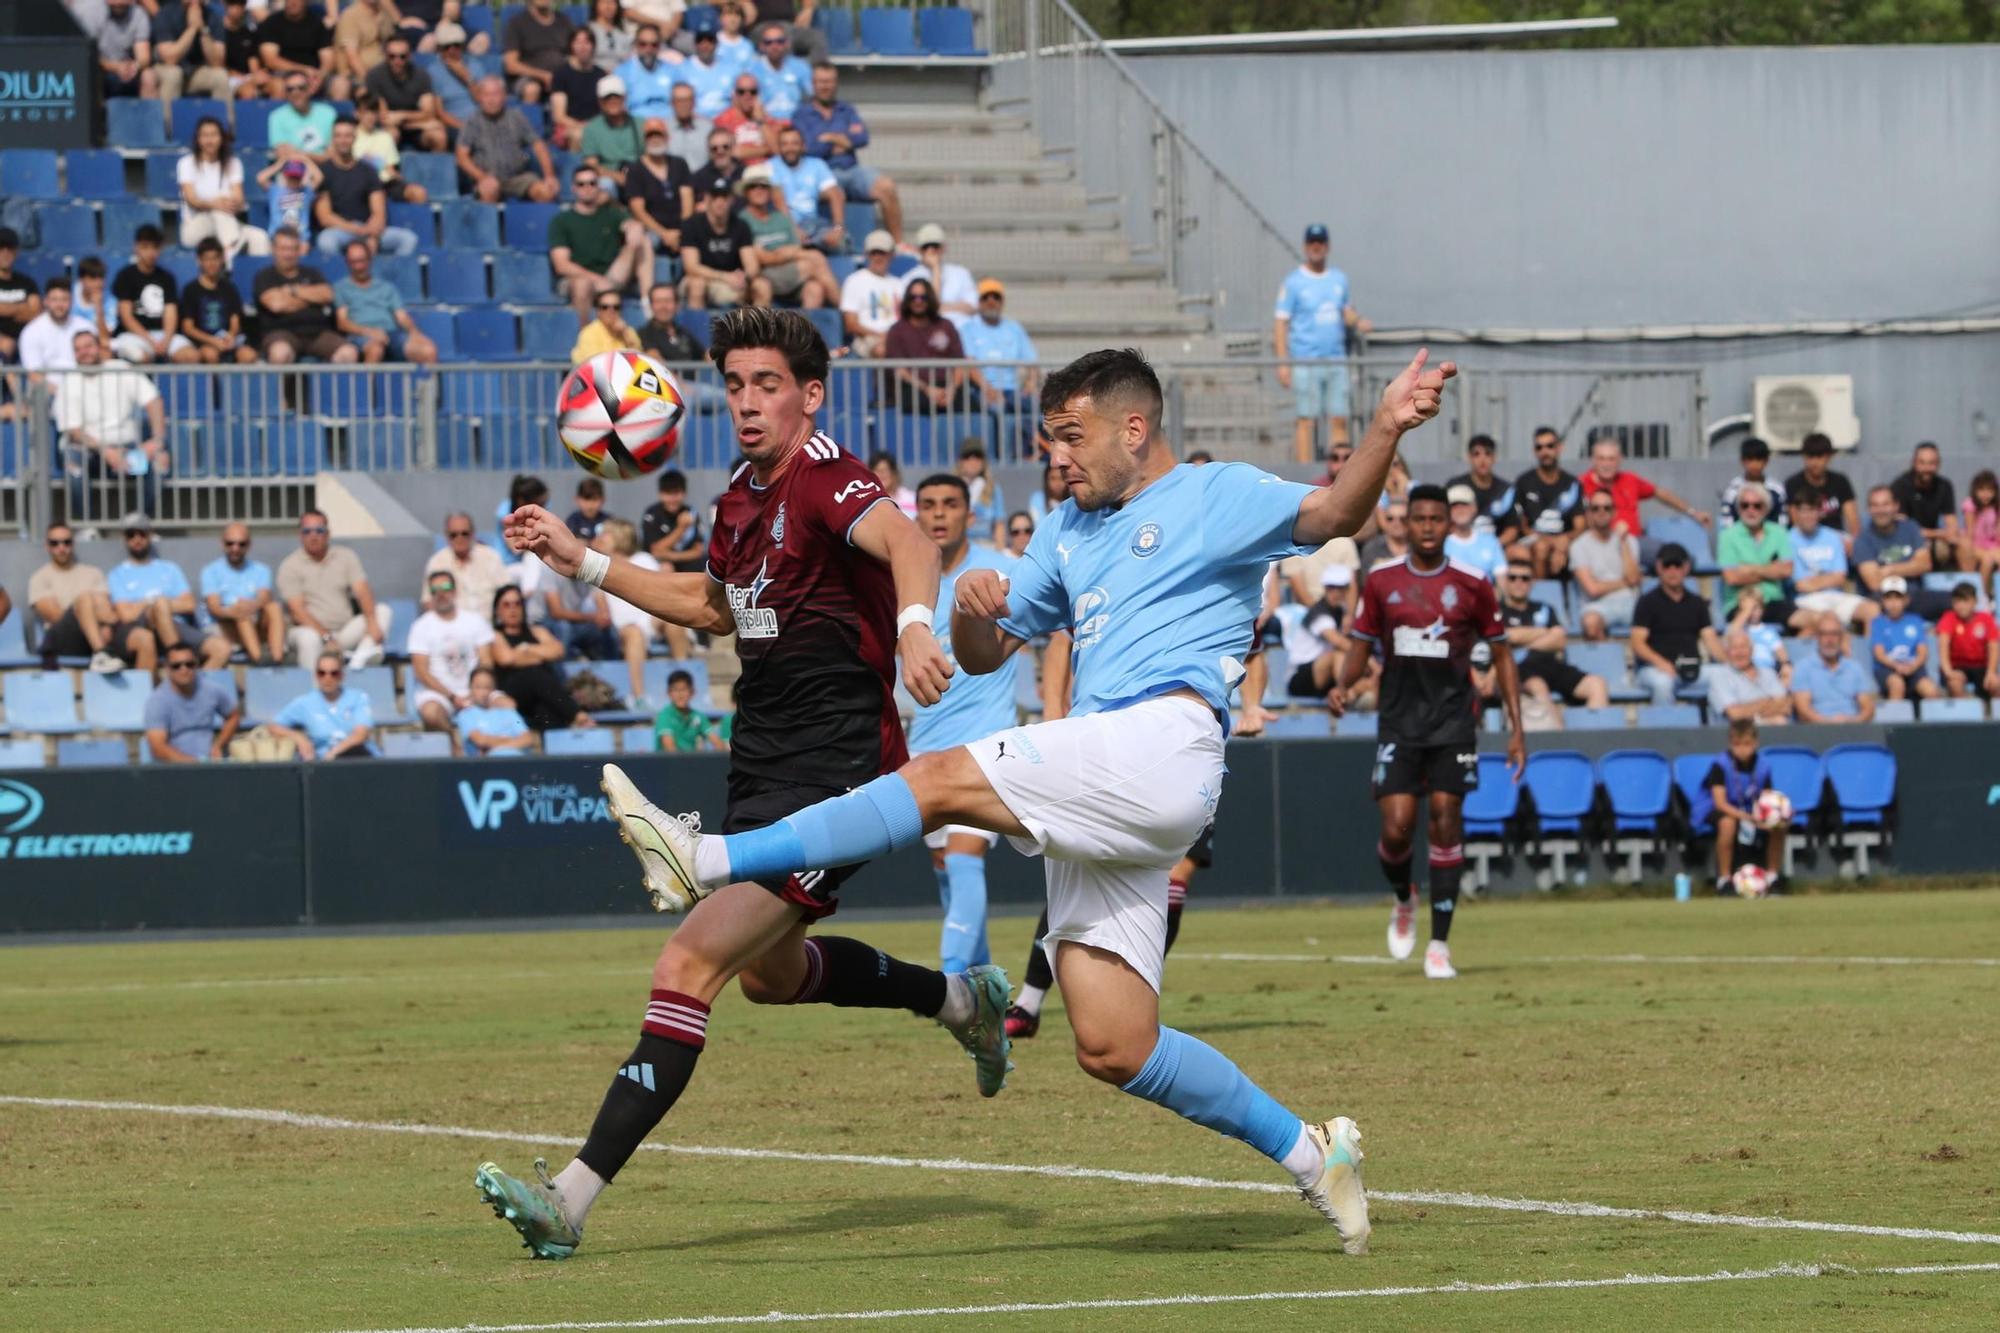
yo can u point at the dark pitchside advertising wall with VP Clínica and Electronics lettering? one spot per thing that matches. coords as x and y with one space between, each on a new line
413 842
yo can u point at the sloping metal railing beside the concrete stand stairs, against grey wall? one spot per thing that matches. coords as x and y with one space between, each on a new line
1177 205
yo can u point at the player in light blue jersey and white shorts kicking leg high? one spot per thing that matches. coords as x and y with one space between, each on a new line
1157 573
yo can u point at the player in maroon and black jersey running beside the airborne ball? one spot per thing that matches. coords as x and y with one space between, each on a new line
809 565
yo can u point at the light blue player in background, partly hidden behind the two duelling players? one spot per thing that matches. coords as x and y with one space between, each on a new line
973 710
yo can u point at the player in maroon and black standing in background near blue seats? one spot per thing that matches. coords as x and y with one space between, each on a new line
1425 613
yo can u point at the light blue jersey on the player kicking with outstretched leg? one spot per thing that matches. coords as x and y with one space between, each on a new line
1163 591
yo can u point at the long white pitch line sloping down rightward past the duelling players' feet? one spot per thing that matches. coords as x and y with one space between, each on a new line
1559 1208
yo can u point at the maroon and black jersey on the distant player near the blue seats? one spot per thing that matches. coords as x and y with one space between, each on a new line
1425 625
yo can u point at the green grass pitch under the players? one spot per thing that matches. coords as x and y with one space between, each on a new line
1809 1092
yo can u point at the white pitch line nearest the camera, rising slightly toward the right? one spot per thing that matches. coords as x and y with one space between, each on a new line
1249 1298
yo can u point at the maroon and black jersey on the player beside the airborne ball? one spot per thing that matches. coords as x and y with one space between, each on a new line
815 623
